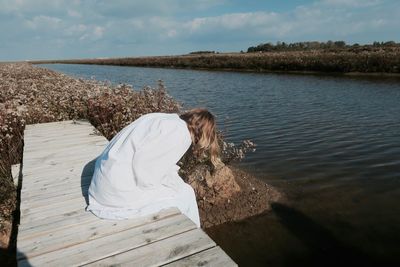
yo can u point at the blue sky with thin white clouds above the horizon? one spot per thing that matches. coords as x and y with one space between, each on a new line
62 29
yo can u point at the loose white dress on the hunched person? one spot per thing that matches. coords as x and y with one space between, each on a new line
137 175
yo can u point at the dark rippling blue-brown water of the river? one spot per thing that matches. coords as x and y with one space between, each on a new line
331 143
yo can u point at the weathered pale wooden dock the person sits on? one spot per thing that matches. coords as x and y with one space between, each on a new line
55 229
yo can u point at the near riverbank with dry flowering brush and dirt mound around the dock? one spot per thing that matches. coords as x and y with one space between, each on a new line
31 95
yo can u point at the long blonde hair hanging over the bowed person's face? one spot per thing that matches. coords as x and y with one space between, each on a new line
202 128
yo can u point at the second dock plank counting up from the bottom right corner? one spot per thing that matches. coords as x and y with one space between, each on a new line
167 250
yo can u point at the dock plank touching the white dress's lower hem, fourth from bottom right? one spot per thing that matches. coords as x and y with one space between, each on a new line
79 233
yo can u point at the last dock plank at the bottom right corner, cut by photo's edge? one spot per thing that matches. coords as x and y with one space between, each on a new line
211 257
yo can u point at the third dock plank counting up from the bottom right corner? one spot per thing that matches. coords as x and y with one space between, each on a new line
107 246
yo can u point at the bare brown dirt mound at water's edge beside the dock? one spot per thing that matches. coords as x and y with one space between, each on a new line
230 194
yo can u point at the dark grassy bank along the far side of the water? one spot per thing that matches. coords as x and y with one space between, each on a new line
366 61
